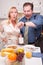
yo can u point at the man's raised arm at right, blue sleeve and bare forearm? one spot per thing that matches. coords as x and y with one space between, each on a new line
35 22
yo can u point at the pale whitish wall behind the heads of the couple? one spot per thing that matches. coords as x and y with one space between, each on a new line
6 4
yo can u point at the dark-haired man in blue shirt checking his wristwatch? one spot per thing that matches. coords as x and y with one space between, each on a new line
33 21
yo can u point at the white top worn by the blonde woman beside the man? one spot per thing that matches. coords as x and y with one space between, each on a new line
11 32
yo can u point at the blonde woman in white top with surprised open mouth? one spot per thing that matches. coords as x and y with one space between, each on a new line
11 31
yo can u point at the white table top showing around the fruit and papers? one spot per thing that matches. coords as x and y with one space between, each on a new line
30 61
